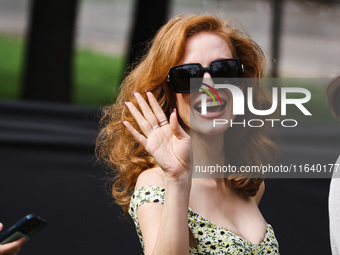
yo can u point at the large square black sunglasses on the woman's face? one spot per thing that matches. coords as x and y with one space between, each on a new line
179 76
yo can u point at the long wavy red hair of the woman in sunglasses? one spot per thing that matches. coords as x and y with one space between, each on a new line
126 158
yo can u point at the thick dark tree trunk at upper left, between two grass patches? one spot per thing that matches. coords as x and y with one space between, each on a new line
47 73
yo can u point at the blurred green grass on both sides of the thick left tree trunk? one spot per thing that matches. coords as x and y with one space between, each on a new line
96 76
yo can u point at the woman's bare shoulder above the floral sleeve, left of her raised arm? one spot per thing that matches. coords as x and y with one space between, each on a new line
152 176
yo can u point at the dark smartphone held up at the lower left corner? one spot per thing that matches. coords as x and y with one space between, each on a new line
26 227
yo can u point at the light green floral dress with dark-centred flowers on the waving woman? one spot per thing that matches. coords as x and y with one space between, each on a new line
210 238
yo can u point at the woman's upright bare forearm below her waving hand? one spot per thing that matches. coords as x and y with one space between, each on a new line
173 233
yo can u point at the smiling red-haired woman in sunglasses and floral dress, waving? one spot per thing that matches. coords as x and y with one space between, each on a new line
161 115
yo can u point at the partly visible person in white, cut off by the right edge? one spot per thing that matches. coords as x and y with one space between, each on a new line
333 97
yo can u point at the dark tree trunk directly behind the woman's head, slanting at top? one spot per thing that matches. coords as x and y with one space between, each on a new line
149 16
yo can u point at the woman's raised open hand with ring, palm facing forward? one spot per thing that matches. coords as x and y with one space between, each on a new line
166 141
